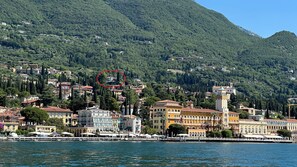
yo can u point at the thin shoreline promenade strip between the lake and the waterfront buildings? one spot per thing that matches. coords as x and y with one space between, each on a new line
176 139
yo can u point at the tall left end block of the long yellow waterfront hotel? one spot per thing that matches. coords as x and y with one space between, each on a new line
164 113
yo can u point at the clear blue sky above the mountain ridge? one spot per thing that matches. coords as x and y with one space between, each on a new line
263 17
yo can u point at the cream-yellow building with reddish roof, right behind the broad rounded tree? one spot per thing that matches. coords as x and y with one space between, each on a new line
64 114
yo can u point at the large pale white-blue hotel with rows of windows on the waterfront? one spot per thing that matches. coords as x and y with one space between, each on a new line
97 119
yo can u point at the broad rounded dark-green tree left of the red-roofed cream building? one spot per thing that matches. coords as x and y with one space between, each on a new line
34 115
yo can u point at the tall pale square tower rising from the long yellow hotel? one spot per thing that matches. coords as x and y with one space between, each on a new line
222 105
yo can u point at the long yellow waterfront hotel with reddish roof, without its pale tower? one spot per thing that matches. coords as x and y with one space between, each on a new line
197 121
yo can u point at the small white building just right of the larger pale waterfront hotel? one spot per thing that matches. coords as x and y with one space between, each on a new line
131 123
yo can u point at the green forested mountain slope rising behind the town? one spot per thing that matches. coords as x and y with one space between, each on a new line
145 38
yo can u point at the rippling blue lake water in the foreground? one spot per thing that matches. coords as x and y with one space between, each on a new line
146 154
